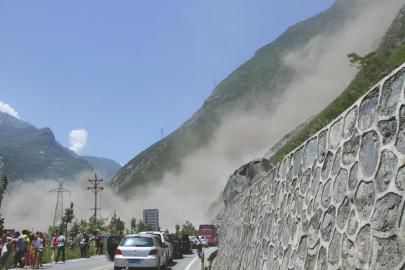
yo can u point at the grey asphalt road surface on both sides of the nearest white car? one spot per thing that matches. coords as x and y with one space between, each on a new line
189 262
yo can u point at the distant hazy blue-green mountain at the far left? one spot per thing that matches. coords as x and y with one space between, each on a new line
28 153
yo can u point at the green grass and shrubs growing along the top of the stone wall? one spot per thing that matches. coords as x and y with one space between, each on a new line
372 68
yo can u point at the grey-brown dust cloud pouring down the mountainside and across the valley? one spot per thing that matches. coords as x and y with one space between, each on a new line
321 71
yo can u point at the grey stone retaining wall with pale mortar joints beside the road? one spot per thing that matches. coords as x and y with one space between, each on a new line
336 202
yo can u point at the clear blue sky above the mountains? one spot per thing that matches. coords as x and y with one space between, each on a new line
124 70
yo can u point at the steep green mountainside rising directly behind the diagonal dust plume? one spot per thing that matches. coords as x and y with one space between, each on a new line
263 76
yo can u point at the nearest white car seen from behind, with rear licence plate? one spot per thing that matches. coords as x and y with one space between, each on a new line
140 251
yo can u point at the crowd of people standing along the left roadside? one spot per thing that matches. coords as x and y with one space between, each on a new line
27 248
